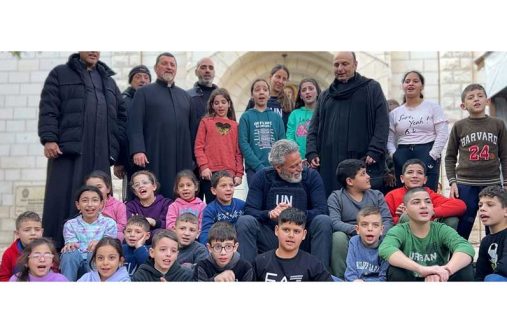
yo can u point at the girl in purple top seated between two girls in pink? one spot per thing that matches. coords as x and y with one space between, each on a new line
148 204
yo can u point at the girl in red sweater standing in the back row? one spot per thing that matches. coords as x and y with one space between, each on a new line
216 144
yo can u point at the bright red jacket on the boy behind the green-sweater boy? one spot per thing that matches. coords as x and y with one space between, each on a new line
443 207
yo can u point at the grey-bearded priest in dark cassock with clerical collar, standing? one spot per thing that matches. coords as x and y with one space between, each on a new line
161 126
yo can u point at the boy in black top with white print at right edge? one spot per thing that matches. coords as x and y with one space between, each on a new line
491 265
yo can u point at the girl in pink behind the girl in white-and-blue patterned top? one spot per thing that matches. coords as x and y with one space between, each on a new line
113 207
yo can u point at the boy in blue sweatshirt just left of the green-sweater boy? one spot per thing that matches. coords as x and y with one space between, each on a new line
363 261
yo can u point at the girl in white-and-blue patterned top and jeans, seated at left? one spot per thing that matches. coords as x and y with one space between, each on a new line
81 234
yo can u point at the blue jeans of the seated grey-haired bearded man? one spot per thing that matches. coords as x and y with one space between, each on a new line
255 237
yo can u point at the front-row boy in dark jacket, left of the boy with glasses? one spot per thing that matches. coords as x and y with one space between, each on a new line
162 264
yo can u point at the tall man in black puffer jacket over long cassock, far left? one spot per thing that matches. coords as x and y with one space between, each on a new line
82 123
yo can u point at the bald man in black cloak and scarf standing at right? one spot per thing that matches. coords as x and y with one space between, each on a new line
350 122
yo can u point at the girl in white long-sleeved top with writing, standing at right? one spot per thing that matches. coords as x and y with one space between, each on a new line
417 129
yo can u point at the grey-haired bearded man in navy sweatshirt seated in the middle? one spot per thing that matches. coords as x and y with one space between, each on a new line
286 184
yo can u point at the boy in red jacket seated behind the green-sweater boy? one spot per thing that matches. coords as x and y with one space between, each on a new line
447 210
